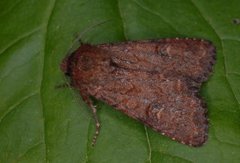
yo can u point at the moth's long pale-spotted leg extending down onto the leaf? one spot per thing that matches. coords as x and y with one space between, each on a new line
97 123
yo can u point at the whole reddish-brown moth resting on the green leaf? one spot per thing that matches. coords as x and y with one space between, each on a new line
155 81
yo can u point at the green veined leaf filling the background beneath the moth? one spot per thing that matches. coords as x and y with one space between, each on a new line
39 123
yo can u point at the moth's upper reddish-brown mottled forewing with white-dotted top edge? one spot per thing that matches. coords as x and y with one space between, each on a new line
189 57
